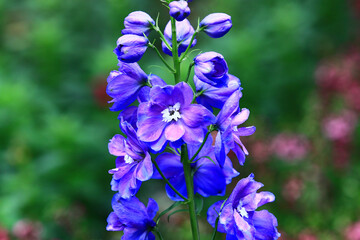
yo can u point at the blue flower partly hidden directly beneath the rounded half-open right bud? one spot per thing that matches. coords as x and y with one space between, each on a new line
210 96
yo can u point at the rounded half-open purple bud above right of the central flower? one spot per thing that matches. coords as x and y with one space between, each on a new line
211 68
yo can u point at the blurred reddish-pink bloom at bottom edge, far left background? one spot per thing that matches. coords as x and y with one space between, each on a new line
27 230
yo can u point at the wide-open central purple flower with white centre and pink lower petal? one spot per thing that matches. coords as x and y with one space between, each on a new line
170 116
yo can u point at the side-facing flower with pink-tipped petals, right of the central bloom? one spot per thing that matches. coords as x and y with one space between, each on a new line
229 134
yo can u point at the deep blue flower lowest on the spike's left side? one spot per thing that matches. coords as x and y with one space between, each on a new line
132 217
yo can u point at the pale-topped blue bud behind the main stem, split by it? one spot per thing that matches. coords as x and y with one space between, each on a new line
184 32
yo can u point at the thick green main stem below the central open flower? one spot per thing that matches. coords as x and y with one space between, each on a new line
190 191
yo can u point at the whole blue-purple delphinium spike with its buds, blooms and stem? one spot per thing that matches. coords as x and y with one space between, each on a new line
167 135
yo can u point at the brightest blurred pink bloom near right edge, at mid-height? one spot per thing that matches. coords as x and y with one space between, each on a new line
340 127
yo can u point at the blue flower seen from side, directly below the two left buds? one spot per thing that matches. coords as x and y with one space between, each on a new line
125 84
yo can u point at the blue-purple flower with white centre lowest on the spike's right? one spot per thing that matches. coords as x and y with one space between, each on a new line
238 217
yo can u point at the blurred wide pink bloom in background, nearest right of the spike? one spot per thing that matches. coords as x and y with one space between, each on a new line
290 147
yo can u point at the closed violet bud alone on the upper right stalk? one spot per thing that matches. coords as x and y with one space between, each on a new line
216 25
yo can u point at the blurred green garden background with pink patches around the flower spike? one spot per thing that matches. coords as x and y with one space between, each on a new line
299 63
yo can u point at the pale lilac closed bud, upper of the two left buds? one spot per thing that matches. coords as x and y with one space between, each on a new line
138 23
